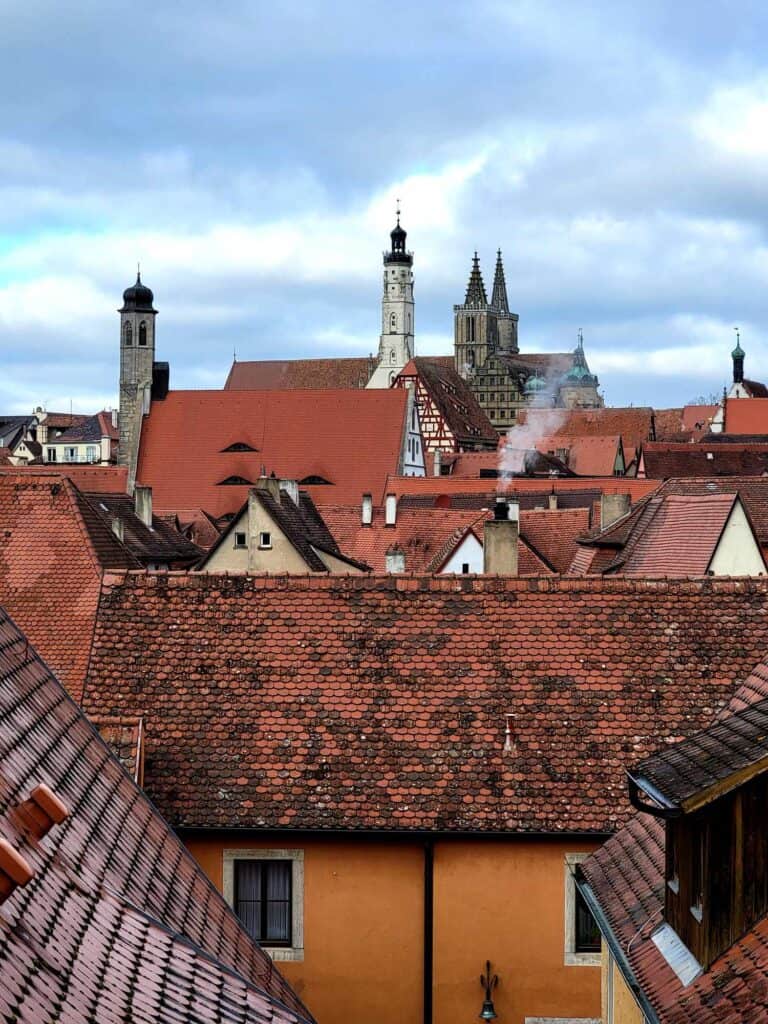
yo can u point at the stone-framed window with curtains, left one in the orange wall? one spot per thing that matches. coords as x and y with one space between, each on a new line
266 888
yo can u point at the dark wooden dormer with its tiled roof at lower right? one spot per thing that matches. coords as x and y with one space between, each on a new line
712 793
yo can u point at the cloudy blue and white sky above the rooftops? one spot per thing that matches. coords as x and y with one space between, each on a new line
250 156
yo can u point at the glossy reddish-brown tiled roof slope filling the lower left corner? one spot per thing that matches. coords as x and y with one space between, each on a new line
118 922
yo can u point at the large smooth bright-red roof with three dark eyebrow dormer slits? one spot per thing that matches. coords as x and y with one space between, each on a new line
294 435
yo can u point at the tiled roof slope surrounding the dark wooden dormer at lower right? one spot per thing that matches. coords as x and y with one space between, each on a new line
627 877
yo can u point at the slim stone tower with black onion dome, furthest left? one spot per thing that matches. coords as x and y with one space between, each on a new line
137 362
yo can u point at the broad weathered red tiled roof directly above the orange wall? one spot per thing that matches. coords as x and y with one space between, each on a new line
380 702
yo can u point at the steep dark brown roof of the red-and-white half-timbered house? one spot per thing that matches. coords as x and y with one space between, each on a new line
454 400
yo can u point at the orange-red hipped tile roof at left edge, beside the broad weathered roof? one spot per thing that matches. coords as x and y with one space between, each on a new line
53 550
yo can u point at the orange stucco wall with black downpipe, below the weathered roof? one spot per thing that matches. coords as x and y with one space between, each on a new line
364 929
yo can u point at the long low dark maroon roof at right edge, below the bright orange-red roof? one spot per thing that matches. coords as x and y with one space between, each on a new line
663 460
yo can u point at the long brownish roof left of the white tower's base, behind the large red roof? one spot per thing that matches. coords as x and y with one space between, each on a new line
268 375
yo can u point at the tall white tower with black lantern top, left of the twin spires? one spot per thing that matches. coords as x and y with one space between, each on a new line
397 344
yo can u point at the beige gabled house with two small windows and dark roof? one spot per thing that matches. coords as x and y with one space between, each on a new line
279 530
